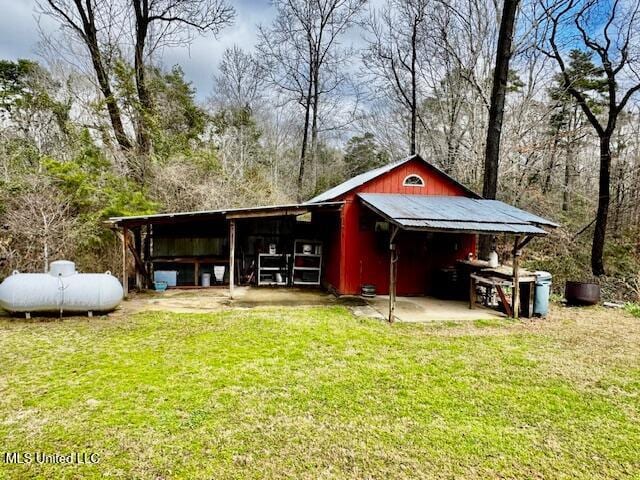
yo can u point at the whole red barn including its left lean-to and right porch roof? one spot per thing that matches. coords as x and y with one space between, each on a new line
402 224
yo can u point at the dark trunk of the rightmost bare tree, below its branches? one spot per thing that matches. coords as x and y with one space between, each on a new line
597 248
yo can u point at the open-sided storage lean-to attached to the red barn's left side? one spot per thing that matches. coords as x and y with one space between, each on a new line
195 242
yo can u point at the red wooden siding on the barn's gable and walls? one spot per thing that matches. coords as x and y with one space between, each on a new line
363 255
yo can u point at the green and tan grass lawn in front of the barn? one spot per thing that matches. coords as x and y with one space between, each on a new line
317 393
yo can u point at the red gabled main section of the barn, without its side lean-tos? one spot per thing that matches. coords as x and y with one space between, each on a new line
358 256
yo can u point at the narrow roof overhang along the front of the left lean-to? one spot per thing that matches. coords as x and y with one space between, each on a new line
225 214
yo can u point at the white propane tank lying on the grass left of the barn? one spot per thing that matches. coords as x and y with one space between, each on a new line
62 289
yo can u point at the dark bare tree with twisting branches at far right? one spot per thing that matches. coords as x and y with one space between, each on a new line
611 34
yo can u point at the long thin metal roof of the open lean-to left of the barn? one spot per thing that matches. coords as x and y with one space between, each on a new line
284 209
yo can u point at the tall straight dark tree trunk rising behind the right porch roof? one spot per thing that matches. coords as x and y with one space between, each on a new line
496 110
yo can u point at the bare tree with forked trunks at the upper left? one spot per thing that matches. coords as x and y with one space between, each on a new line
155 23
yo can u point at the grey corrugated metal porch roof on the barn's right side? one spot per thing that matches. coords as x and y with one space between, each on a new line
453 213
